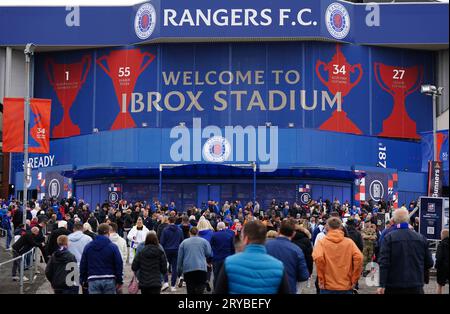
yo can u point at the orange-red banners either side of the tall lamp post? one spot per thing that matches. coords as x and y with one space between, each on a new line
13 117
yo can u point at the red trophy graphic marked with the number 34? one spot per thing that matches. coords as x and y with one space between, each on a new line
339 71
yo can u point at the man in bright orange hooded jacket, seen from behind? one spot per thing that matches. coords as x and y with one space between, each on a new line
338 261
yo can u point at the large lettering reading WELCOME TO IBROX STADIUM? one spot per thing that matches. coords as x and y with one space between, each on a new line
246 99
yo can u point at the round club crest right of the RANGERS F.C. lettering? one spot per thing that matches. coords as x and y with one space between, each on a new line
337 20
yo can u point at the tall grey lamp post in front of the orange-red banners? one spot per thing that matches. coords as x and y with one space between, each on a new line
29 51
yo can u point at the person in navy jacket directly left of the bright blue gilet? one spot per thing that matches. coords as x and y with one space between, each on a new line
222 244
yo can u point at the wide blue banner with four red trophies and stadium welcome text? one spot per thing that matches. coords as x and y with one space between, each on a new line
326 86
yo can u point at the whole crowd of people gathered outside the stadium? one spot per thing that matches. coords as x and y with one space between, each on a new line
225 248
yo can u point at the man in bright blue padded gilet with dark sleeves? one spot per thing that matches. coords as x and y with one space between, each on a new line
253 271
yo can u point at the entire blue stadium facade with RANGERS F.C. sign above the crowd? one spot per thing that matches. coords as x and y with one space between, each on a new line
250 100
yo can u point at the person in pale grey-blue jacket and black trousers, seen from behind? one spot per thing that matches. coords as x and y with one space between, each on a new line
192 256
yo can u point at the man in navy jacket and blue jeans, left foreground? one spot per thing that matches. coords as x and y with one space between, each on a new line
101 266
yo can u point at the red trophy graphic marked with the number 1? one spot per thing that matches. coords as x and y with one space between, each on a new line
66 80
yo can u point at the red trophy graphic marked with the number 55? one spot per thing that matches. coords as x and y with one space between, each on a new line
124 67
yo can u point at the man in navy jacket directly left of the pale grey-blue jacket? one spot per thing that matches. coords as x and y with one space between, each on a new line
171 238
